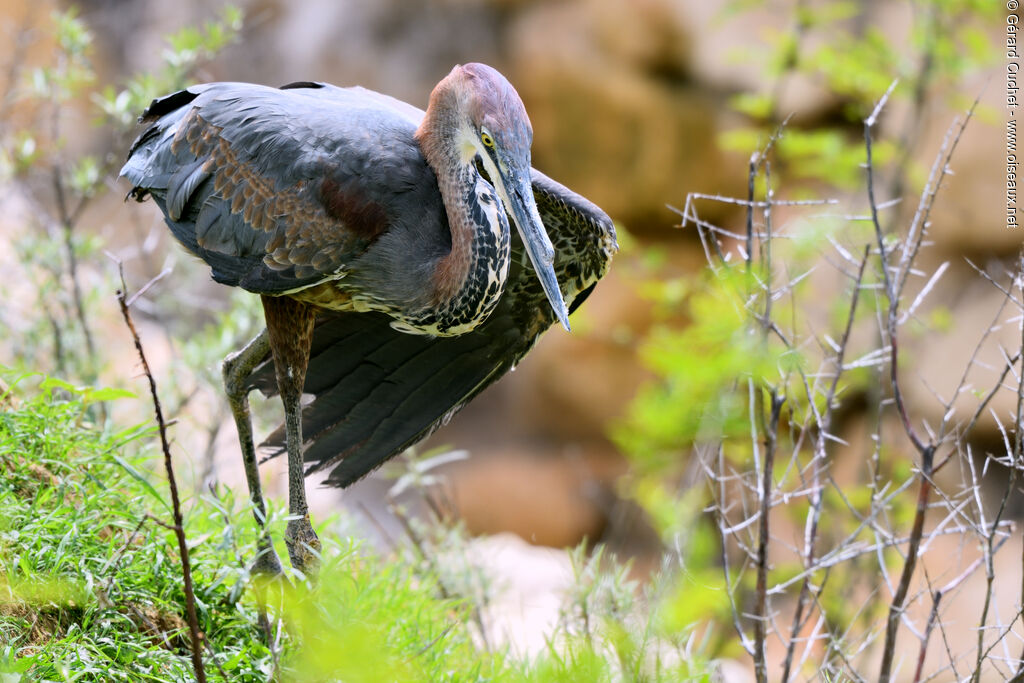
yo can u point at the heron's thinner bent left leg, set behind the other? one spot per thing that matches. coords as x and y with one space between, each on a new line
236 370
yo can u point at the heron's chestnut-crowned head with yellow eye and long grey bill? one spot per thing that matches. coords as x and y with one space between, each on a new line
477 117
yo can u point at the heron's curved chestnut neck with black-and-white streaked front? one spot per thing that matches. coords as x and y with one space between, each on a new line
470 280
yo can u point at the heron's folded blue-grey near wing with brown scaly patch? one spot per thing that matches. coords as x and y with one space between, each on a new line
277 190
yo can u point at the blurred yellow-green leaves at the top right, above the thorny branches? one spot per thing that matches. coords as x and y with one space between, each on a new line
854 65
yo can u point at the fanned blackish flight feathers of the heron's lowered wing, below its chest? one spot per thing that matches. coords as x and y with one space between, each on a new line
378 392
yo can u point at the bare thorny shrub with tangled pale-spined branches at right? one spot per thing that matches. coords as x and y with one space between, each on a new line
745 526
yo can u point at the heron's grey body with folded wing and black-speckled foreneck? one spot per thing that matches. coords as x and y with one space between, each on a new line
327 207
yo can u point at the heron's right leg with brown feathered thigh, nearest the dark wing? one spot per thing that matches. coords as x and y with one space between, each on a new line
290 325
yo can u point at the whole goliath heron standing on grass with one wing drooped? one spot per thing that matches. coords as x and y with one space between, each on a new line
378 238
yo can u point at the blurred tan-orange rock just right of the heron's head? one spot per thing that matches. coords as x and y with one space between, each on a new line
614 114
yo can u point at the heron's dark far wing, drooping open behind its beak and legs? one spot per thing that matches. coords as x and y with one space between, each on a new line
377 392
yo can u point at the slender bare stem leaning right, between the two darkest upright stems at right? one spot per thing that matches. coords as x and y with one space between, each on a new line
817 499
